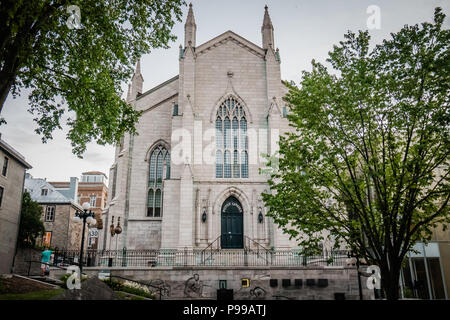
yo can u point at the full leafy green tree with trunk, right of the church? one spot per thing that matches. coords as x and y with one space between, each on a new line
367 162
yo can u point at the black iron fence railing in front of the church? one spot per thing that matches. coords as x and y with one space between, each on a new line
189 257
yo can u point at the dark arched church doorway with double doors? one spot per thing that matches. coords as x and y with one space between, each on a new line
232 235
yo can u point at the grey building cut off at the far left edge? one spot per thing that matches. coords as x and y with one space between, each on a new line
12 175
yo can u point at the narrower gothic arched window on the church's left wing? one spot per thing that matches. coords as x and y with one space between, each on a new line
159 157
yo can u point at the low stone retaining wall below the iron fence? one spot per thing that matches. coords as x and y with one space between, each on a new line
264 283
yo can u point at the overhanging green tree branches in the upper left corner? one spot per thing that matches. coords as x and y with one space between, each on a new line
76 73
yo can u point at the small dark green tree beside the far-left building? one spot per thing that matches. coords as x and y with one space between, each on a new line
31 226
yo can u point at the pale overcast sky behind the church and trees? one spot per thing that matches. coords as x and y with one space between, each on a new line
304 30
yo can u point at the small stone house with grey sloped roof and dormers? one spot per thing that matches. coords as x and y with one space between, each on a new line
58 212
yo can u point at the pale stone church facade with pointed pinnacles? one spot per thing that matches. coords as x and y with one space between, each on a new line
227 65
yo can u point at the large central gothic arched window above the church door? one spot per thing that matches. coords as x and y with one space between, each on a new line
231 140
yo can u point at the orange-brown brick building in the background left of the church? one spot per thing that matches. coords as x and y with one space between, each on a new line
93 189
